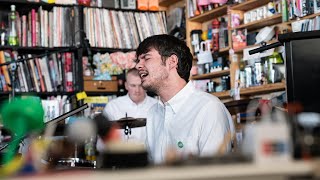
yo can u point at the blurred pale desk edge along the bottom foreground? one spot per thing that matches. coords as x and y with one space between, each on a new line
230 171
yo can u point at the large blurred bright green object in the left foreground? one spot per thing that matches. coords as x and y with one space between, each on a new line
21 117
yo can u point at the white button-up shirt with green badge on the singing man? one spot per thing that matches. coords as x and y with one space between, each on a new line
192 122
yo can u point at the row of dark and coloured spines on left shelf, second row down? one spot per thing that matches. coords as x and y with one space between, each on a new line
52 73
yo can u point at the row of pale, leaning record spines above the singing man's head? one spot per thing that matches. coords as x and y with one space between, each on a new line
121 29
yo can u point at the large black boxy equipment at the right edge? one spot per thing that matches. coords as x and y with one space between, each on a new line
303 69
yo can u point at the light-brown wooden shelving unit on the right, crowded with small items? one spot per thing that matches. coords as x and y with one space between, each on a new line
235 56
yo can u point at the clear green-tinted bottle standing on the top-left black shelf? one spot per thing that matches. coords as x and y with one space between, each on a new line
13 38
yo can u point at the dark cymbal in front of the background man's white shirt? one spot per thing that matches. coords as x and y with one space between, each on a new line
131 122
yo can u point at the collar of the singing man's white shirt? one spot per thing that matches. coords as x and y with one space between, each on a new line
177 101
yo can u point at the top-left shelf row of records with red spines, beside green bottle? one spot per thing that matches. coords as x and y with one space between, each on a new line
41 26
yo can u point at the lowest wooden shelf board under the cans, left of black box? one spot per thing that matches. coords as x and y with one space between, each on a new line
268 88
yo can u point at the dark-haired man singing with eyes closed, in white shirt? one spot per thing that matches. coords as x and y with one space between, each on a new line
185 120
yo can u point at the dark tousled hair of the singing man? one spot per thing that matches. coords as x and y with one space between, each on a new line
168 45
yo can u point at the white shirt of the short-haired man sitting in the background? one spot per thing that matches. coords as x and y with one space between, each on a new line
119 107
